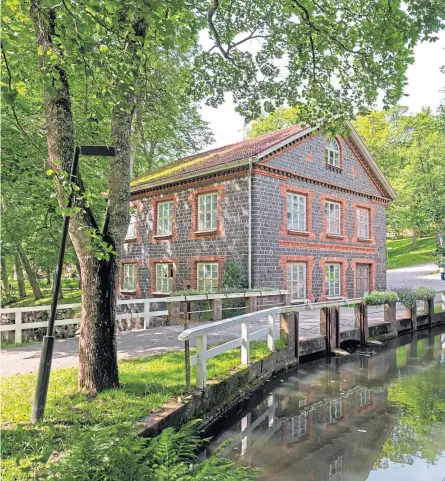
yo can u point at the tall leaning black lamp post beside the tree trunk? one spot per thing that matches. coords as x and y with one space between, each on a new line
38 409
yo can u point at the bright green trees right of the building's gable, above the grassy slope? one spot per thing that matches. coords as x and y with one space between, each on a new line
410 149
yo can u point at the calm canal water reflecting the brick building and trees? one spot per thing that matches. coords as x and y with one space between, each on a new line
375 418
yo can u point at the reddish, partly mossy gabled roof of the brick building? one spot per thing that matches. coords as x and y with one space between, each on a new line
240 153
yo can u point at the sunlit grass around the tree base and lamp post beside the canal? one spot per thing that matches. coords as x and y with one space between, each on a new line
147 383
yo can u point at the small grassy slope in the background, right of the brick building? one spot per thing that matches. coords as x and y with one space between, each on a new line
400 253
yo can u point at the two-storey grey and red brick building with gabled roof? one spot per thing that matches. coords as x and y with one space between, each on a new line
292 209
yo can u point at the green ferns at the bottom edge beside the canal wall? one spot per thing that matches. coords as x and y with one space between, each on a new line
116 453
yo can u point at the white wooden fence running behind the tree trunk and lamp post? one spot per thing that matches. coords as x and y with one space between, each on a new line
20 326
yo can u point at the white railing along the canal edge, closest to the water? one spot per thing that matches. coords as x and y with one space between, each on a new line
271 333
